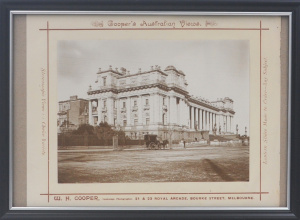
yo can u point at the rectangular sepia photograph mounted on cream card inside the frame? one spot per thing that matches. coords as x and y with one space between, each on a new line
153 111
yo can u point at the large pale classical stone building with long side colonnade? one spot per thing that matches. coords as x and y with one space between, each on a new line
156 102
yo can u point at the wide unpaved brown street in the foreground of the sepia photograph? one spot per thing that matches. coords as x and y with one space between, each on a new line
193 164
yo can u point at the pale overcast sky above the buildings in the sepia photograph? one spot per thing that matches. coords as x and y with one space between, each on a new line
214 69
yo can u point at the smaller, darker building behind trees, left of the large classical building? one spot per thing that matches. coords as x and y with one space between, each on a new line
72 112
